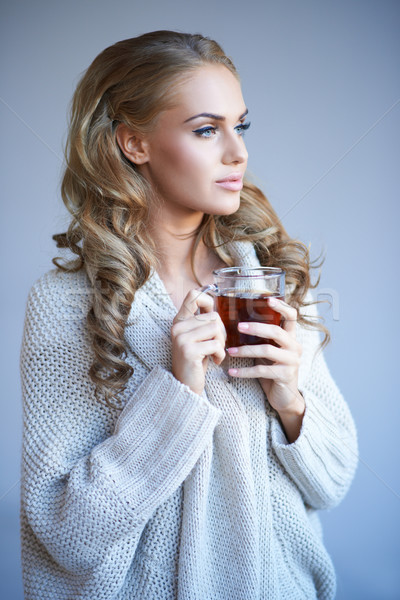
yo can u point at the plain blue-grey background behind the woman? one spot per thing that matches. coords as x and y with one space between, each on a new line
321 80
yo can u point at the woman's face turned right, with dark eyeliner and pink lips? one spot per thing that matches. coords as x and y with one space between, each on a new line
197 144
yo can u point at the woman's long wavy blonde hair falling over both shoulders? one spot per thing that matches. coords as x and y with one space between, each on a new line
132 82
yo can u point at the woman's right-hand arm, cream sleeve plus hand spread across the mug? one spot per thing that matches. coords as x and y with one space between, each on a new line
313 434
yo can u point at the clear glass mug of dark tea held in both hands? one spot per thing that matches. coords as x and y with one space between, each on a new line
241 295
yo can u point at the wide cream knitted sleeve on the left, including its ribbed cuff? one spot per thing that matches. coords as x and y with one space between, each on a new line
91 479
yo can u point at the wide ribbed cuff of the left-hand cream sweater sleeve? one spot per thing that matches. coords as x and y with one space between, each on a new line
158 439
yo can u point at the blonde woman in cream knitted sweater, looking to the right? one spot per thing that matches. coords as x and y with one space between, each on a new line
156 464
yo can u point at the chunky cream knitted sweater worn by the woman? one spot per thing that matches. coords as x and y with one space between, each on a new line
176 495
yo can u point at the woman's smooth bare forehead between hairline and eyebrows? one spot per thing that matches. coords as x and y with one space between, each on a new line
210 88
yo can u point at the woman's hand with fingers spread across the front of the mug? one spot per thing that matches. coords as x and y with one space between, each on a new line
277 367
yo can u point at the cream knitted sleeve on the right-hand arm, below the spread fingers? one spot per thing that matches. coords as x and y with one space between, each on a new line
323 459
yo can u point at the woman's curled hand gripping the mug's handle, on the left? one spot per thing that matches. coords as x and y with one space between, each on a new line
196 338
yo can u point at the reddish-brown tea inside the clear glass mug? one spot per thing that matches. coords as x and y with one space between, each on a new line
234 309
